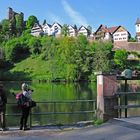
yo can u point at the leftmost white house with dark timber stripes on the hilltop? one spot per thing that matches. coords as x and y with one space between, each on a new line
37 30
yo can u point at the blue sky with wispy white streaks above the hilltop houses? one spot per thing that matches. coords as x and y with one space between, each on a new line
79 12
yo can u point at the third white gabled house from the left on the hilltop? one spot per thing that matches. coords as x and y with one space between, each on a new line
56 29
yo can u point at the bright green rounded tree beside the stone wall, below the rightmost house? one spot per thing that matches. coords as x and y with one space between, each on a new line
120 58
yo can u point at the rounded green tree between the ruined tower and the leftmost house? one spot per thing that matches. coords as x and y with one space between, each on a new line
31 21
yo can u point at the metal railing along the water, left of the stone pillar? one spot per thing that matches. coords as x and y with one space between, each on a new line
57 103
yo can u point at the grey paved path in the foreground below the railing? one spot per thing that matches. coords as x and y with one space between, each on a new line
116 129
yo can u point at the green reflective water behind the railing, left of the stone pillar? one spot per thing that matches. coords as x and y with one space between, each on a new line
49 92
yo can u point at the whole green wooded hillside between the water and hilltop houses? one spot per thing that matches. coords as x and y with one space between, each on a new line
48 58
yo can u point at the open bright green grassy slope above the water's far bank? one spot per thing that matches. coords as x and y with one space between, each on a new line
35 68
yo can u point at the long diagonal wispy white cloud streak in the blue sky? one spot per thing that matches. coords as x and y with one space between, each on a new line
76 17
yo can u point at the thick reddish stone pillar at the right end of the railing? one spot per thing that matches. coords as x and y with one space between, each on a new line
106 87
